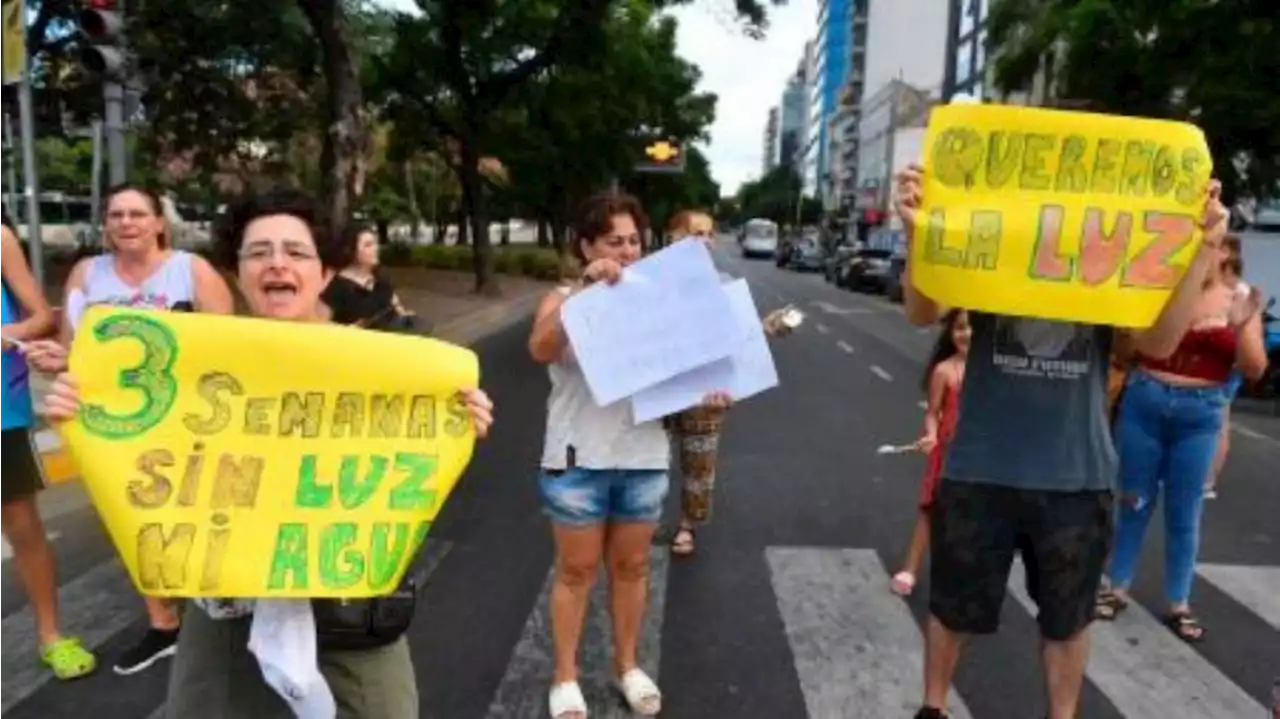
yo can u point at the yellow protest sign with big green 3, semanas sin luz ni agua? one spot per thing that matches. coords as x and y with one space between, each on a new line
246 459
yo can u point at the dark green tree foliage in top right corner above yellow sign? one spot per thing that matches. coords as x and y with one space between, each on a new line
1210 63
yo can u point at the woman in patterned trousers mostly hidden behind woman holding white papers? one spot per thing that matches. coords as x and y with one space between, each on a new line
698 431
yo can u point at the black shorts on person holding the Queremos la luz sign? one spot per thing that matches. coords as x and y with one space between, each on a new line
1064 539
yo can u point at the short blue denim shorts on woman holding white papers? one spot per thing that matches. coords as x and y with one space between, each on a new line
583 498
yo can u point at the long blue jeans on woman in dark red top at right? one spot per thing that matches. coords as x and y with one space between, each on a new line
1165 436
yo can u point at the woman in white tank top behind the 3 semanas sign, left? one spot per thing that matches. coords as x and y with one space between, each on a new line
140 269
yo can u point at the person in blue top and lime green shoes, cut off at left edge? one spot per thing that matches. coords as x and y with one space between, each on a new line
25 317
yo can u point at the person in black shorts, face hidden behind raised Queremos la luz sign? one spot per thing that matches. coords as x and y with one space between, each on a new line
1031 460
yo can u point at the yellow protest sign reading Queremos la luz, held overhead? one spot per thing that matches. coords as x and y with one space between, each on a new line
1058 216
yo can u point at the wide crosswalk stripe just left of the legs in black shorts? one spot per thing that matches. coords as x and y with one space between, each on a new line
857 648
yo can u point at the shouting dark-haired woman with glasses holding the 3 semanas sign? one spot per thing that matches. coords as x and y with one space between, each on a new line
284 258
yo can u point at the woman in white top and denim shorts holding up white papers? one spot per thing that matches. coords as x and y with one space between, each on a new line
604 477
